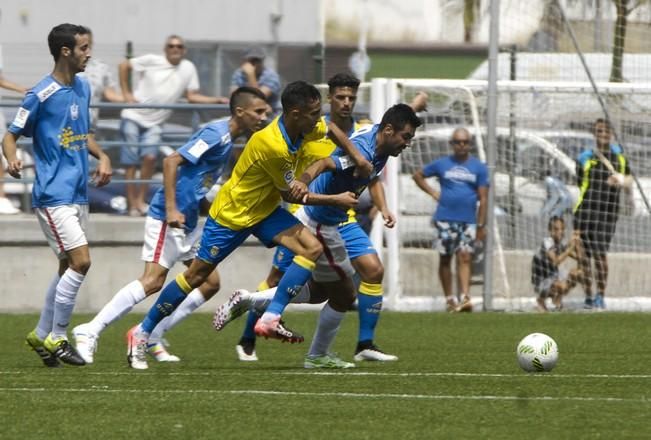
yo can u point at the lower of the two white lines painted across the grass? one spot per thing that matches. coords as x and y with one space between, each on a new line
333 394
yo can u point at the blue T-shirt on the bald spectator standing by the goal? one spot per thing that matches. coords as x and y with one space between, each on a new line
459 184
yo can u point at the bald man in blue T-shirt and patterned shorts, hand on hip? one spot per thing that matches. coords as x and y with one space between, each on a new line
464 181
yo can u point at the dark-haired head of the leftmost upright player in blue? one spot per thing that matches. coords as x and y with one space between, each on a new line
69 43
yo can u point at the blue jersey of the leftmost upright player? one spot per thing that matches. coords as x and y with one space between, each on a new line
56 116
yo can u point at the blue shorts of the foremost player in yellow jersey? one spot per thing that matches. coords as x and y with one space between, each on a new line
218 241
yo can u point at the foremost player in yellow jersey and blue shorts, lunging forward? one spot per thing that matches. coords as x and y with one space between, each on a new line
249 203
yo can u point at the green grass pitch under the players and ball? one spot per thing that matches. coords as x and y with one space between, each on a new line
457 377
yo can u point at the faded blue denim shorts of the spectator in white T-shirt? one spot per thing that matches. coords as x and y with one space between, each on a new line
133 135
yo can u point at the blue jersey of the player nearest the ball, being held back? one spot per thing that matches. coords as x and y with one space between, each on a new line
342 179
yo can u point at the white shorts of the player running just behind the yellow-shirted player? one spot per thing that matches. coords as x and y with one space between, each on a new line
166 246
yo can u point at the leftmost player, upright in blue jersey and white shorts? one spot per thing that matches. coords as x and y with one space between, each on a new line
55 113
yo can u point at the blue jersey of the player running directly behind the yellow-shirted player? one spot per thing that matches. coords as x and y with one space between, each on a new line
207 153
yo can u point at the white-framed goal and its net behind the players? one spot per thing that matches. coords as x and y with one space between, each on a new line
542 128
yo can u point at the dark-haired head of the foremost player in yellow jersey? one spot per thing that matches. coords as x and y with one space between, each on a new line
301 106
